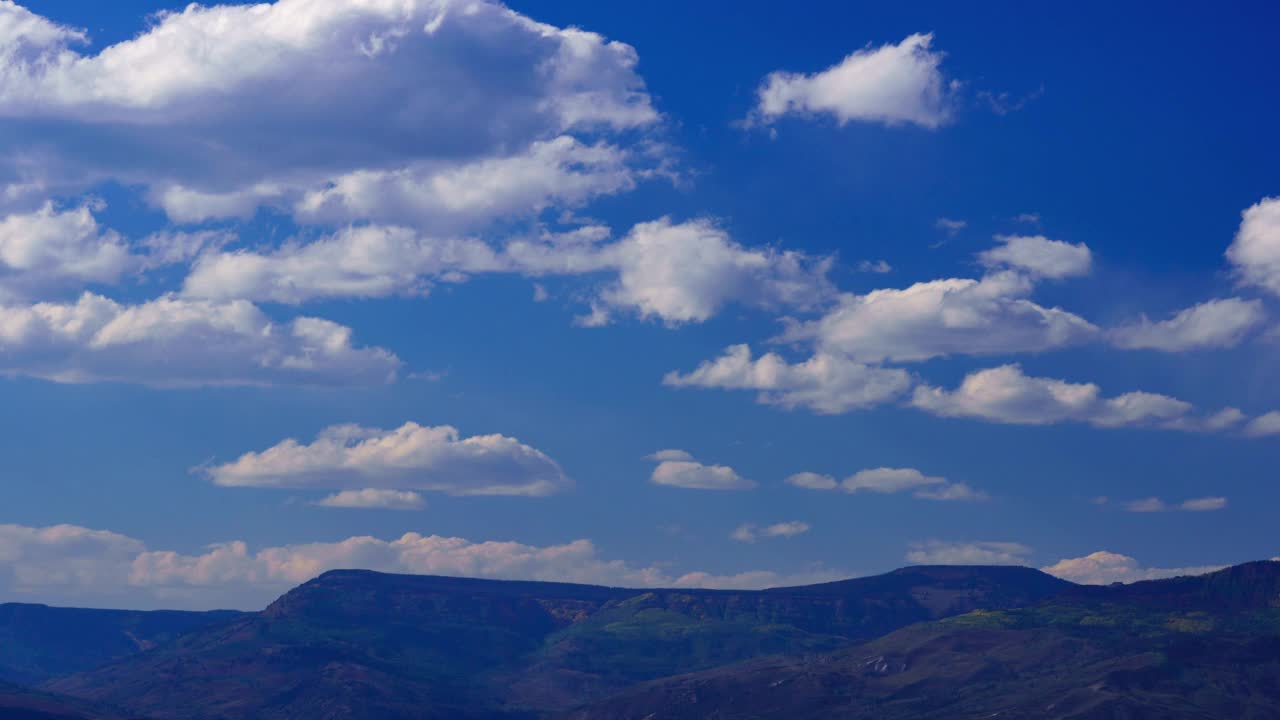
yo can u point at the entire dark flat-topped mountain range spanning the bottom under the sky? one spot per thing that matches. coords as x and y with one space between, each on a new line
927 642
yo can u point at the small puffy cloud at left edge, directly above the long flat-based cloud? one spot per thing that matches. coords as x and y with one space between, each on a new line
52 249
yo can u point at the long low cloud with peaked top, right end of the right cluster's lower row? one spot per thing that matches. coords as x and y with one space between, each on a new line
1007 395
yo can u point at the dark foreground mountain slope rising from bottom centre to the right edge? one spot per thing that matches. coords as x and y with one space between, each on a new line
1187 649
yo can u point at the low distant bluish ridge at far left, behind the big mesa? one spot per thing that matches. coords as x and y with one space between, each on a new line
39 642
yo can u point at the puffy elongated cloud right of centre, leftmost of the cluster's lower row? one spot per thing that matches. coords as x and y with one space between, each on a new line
824 384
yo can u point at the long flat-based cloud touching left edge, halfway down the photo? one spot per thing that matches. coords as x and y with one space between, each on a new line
172 341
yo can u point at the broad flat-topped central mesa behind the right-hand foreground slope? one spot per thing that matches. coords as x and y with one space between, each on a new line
360 645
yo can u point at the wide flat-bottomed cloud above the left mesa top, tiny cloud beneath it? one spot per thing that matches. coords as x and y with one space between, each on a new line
409 458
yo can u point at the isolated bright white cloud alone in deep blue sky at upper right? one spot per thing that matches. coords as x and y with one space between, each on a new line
892 85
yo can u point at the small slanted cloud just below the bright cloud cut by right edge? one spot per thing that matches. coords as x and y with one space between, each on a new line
1218 323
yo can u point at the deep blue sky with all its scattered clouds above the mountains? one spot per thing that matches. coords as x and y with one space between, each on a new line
1003 280
